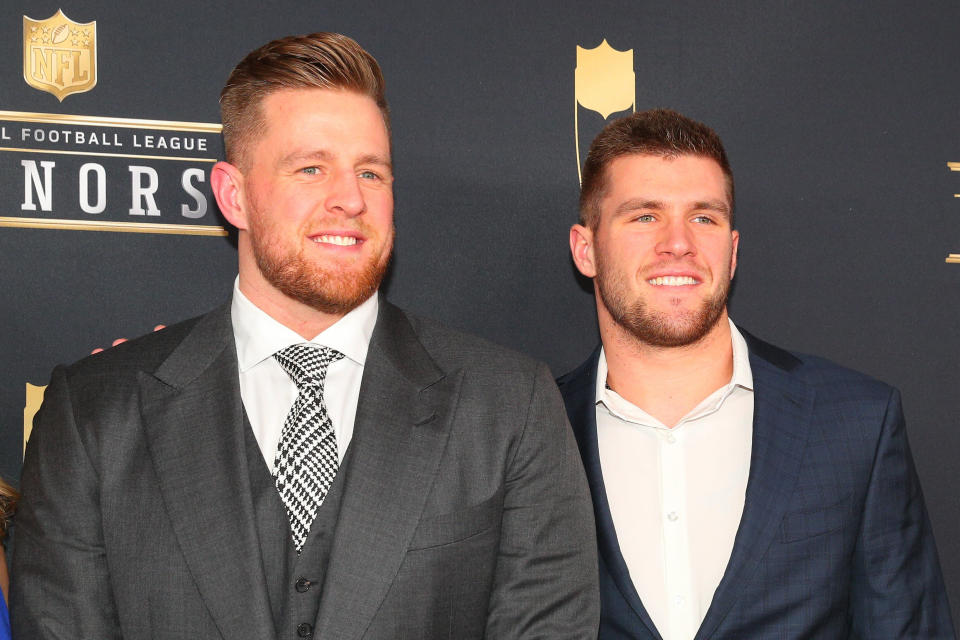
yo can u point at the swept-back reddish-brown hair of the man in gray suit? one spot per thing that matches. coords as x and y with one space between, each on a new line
314 61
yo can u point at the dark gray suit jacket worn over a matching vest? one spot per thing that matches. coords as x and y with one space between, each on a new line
465 511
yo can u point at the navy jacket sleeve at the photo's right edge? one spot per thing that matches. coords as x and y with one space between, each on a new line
897 589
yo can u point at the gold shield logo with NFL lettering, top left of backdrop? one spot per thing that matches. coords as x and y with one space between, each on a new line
59 55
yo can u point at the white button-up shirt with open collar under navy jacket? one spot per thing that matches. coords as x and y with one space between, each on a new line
676 494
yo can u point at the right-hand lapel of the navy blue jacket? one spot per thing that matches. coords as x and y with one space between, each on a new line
783 406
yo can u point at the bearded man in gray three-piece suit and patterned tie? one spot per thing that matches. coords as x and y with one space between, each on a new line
307 460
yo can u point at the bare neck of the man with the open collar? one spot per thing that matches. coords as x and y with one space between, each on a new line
667 382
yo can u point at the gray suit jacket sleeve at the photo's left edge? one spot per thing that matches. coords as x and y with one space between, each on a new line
60 584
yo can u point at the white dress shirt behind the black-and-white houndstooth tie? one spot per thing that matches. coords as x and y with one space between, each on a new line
267 391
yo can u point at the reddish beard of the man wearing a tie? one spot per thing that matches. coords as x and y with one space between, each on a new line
329 289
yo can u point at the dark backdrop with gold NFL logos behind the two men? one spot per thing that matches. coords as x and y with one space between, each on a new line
842 124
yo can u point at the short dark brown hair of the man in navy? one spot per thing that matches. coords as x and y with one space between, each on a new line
657 132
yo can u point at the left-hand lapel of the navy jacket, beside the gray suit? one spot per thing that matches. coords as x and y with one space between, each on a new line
579 394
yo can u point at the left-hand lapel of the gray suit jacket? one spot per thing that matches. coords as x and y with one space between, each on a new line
193 418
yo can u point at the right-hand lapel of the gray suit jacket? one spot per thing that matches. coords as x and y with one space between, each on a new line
405 407
